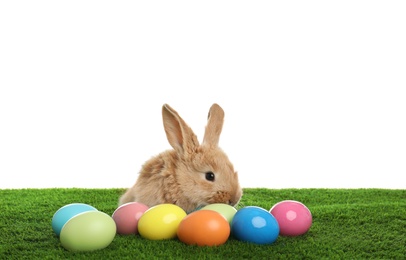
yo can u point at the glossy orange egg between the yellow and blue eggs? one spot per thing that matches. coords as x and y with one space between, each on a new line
204 228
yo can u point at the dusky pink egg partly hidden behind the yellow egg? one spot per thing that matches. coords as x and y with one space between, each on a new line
126 217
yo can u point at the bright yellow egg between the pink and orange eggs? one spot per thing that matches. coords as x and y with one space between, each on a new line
160 222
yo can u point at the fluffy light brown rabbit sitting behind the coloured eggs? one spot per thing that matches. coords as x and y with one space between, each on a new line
191 175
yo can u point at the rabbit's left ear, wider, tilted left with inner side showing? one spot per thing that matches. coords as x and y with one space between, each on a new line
178 133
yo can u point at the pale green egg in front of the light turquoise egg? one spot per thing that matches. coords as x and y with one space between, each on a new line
88 231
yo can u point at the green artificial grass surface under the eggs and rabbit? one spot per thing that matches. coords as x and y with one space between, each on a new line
347 224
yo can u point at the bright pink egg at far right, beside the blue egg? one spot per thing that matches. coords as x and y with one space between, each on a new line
293 217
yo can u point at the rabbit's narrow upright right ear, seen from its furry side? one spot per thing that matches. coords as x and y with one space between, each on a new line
214 125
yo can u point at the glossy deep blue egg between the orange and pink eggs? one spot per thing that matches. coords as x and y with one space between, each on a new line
255 224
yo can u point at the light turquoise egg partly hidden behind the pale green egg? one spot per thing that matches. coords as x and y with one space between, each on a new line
66 212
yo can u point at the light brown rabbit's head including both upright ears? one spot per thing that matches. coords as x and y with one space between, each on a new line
204 171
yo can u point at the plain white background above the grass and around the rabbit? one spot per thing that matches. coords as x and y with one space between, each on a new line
313 91
